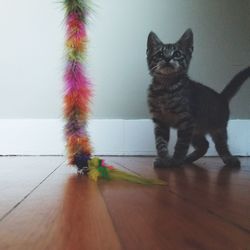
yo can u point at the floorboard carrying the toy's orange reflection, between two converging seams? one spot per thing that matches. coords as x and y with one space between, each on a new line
65 212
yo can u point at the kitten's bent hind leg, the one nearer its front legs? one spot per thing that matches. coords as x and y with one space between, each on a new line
200 145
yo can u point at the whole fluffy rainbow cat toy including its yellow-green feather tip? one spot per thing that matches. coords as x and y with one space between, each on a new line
76 101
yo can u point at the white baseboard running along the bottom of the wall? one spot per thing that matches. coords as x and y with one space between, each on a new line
109 137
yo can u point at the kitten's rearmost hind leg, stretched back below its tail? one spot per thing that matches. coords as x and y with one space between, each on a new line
219 137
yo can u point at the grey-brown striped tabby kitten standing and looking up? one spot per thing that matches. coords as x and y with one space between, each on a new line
193 109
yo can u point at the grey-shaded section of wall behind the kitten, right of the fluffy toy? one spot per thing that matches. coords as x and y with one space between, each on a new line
118 34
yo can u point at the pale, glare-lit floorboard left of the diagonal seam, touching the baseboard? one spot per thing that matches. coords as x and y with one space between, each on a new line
20 175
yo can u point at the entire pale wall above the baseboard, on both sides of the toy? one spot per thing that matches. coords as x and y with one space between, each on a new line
31 52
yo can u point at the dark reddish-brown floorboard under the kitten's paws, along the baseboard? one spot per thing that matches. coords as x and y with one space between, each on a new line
226 190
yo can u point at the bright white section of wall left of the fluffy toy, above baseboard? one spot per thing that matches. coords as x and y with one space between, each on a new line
31 58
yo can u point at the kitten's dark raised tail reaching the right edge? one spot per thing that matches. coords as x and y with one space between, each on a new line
234 85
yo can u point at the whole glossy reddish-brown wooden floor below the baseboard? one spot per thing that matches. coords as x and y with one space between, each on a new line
45 205
